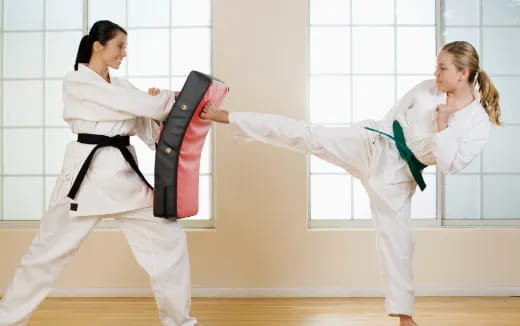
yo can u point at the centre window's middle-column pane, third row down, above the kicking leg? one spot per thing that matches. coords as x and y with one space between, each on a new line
368 106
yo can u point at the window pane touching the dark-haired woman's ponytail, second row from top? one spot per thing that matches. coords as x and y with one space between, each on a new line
61 50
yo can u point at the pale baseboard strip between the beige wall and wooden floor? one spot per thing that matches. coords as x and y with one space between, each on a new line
485 291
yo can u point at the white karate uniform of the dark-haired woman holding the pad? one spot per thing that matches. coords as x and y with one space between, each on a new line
111 189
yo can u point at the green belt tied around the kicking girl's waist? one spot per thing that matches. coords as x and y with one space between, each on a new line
416 167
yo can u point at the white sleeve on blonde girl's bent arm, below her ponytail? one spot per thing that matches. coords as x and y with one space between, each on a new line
454 148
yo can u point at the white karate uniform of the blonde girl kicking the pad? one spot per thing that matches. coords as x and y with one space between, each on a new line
375 161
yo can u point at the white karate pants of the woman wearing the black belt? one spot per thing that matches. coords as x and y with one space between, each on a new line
159 246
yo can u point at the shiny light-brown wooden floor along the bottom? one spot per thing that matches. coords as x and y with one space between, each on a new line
438 311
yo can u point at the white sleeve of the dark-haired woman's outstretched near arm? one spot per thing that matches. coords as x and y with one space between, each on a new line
122 98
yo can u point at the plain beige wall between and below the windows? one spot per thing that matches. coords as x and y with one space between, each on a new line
261 240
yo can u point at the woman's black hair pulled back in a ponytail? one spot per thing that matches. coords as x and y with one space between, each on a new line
102 31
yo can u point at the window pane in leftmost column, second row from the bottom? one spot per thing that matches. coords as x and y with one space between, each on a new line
23 151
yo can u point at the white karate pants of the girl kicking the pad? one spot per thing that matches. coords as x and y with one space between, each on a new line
375 161
